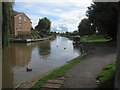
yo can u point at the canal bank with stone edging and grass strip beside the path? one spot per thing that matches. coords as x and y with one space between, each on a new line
38 81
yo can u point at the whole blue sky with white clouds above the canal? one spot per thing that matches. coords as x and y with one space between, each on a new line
65 15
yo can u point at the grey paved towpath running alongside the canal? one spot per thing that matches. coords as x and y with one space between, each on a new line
83 75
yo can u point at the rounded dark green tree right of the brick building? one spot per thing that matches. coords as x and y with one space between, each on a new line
43 26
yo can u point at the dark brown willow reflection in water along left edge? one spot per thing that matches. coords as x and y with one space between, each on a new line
7 73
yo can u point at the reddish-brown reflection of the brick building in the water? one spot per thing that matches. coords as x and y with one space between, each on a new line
21 54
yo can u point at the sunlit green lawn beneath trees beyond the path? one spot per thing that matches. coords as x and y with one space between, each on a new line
94 38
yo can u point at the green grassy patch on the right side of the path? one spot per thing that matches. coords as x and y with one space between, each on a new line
106 76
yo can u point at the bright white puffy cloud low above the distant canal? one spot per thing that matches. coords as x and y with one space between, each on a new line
69 19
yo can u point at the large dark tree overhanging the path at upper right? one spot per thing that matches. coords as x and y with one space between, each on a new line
103 16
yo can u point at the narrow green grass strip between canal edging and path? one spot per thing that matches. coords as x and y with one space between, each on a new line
57 72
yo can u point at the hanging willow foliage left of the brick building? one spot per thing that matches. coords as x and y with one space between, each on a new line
6 23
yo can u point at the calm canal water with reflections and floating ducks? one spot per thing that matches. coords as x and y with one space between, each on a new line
40 56
